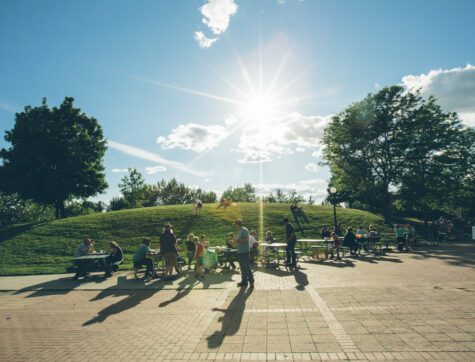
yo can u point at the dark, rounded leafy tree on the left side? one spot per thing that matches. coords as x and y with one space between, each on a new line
55 155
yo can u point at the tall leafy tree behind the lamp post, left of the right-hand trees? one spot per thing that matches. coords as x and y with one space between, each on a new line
365 145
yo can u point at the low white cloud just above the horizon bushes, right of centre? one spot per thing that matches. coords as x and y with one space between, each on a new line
317 188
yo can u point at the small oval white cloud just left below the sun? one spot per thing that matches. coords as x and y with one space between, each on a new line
195 137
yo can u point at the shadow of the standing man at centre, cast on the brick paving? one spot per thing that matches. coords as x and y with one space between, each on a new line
231 320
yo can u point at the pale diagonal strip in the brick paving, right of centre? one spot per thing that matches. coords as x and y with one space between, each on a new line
343 338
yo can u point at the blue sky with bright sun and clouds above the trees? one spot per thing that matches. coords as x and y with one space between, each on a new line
247 104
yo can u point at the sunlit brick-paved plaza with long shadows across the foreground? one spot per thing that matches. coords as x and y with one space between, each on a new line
417 306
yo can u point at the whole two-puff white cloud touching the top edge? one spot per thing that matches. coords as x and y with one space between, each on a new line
216 16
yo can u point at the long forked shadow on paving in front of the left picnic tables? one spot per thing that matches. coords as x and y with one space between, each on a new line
133 297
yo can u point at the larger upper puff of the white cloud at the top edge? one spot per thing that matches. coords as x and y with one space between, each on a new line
217 13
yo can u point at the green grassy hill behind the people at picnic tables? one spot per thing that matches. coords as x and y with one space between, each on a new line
48 247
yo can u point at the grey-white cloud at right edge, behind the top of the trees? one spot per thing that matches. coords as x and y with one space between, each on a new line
454 89
